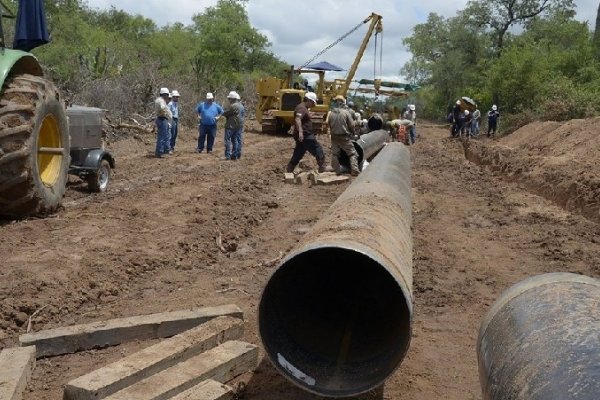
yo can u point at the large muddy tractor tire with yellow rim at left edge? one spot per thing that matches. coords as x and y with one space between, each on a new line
34 147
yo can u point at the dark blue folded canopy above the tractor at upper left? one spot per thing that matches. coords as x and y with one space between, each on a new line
31 30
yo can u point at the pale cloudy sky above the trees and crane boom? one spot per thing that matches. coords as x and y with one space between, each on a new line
299 30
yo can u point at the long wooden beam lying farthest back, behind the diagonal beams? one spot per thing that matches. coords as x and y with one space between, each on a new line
116 331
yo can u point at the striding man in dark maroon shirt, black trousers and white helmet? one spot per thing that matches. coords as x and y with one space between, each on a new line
304 135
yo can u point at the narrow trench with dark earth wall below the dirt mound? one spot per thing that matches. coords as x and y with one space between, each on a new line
571 190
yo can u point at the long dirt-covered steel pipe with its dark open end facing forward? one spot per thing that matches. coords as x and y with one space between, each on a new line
335 316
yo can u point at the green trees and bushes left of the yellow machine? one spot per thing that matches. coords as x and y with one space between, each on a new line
112 59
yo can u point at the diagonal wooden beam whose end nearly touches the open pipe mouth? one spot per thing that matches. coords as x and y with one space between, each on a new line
221 364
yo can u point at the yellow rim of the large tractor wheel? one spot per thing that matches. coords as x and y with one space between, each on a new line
49 161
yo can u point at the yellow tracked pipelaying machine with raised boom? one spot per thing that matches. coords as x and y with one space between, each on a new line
278 97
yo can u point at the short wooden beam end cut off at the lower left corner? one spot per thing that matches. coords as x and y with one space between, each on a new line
16 367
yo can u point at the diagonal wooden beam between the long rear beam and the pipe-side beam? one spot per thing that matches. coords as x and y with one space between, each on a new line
107 380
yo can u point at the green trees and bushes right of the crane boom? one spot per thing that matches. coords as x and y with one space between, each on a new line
547 69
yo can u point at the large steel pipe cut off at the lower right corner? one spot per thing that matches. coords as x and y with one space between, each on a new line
541 341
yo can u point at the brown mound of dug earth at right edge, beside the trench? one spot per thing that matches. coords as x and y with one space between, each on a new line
555 160
